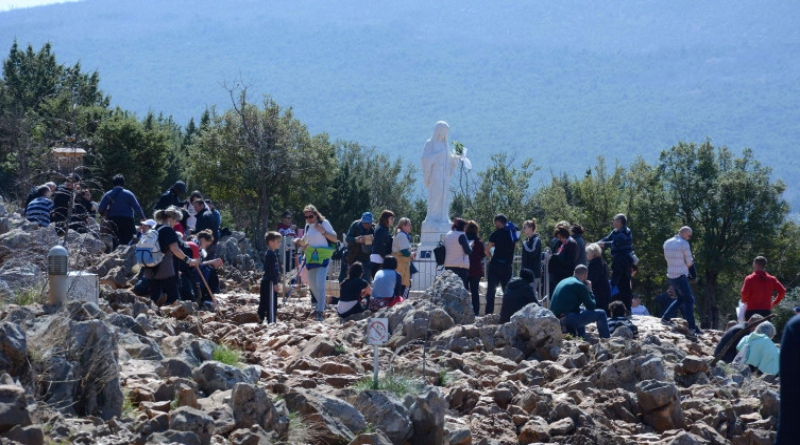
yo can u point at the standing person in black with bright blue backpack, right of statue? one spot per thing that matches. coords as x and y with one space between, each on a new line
500 251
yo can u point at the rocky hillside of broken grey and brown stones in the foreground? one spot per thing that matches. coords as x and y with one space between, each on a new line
127 372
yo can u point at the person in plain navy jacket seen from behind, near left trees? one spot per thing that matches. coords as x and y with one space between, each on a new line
120 206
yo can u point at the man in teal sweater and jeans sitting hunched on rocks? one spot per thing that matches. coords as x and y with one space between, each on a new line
566 304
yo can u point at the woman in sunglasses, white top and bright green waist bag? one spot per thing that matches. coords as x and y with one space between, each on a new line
317 239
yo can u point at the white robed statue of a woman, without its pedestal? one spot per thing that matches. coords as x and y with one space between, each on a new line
438 165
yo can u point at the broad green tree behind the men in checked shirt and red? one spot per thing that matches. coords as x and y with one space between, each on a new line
734 207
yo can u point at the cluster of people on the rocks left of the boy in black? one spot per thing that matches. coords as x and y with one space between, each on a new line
187 232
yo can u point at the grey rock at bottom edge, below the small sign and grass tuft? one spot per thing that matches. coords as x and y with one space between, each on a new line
386 413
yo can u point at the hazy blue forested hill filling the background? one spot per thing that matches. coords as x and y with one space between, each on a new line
561 82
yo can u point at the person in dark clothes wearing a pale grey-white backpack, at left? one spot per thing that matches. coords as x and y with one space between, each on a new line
156 251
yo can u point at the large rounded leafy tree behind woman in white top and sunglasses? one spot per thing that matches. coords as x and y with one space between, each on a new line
252 154
